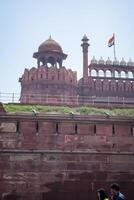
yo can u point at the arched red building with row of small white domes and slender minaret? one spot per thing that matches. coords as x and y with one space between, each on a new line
107 78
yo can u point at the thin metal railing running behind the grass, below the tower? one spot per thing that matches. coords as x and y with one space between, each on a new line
62 99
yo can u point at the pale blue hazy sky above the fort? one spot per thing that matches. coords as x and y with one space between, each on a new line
25 24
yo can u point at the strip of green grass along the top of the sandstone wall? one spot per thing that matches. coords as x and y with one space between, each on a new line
19 108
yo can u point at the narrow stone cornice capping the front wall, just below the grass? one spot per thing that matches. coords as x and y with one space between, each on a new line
66 117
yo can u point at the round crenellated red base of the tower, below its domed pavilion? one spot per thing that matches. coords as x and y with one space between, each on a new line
39 83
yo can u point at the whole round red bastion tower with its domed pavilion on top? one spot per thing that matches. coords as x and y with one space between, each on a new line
50 82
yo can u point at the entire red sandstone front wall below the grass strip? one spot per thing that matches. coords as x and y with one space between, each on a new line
65 157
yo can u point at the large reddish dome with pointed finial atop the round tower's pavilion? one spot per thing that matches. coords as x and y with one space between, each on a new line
50 45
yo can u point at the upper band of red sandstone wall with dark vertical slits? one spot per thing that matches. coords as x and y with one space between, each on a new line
38 132
